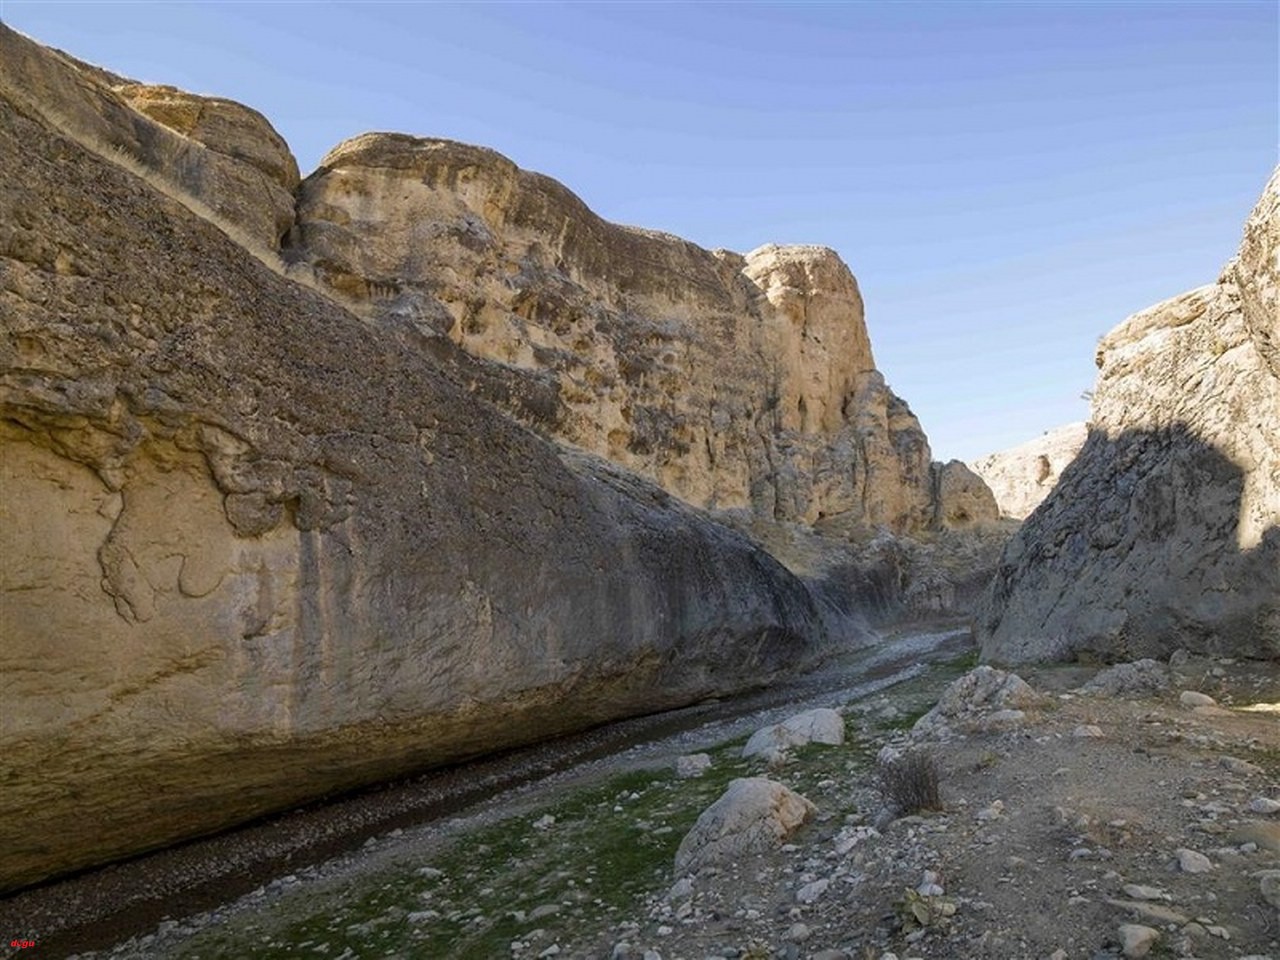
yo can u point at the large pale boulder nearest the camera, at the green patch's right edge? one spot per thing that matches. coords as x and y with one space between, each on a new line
755 815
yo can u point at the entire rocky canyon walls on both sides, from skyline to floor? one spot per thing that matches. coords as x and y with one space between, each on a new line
310 483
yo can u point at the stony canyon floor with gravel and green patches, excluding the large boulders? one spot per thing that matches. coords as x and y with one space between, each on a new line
1059 828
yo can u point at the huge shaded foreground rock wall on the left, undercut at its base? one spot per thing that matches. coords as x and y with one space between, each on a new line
257 550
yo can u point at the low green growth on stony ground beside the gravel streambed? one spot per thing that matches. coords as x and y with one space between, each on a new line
611 845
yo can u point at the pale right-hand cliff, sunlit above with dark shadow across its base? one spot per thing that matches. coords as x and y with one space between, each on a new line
1165 532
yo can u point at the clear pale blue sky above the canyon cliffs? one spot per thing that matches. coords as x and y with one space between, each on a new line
1007 181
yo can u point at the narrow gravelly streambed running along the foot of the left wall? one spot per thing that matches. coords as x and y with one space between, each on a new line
103 907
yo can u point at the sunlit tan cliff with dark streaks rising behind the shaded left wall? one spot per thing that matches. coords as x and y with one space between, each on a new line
739 383
